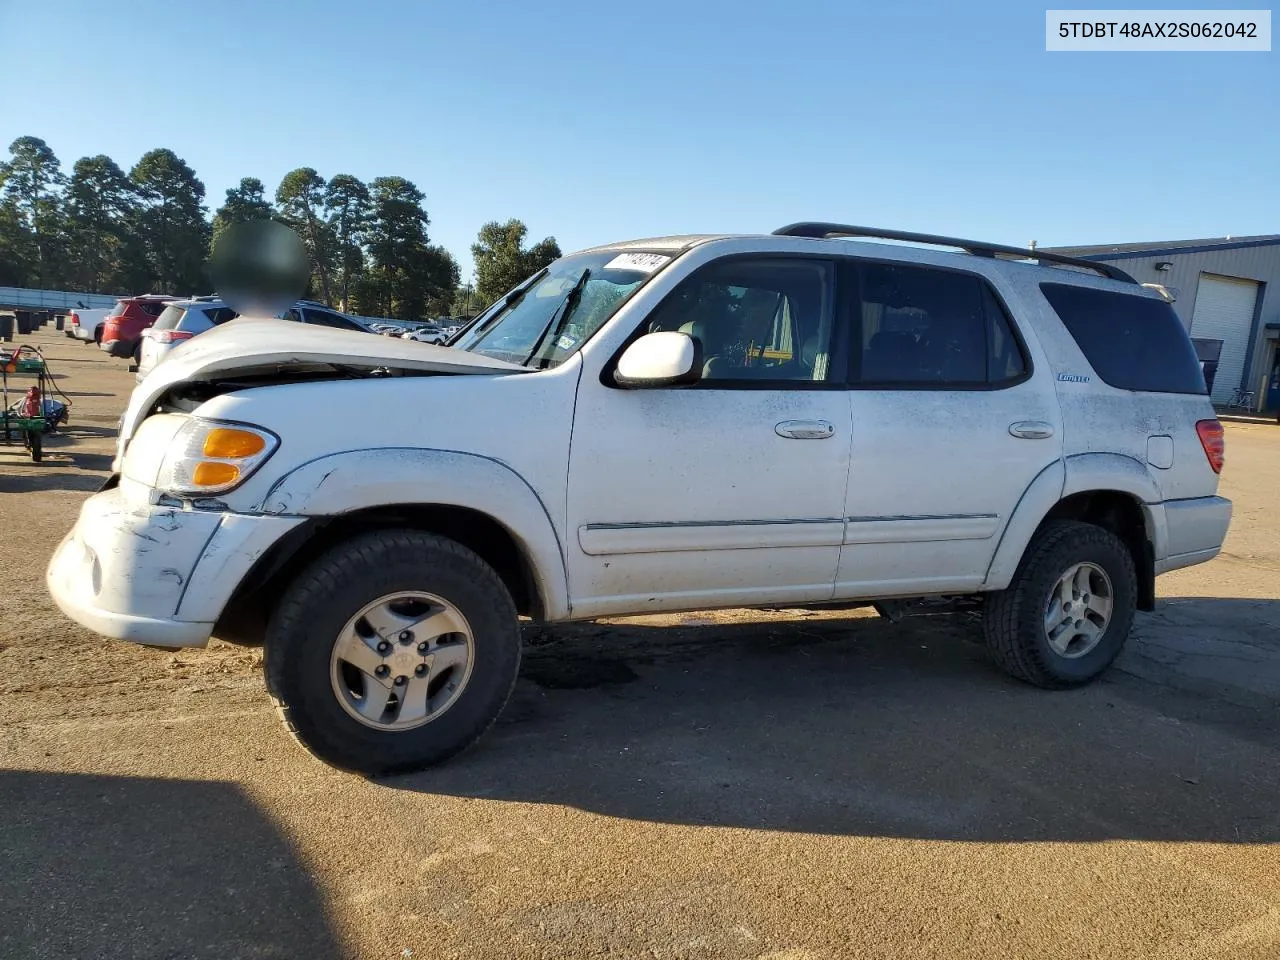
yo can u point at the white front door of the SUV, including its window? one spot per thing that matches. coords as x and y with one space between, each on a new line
732 491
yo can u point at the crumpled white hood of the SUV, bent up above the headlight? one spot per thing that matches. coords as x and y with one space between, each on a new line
250 345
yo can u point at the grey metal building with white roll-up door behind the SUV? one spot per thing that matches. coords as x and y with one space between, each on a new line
1228 294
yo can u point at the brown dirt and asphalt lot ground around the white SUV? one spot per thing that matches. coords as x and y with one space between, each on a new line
739 785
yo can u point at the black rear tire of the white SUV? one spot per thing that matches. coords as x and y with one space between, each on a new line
1016 620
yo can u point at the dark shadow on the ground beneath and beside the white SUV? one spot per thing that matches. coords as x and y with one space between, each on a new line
865 728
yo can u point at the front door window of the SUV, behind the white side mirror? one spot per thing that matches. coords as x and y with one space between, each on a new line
756 319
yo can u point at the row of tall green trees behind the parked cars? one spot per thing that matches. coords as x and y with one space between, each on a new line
106 231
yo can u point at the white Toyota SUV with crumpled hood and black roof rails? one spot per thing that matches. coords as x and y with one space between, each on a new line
673 424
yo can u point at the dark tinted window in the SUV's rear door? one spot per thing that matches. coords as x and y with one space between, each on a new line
932 328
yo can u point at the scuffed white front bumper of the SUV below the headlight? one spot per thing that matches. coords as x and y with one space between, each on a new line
156 575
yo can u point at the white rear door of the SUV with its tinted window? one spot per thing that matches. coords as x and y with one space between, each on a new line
952 422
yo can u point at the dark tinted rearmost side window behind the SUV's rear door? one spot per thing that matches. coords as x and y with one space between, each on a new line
1132 342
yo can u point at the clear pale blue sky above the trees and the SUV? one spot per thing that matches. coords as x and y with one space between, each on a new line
607 121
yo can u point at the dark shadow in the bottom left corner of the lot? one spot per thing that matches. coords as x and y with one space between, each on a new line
125 867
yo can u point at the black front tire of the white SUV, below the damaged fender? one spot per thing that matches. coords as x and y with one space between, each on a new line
312 685
